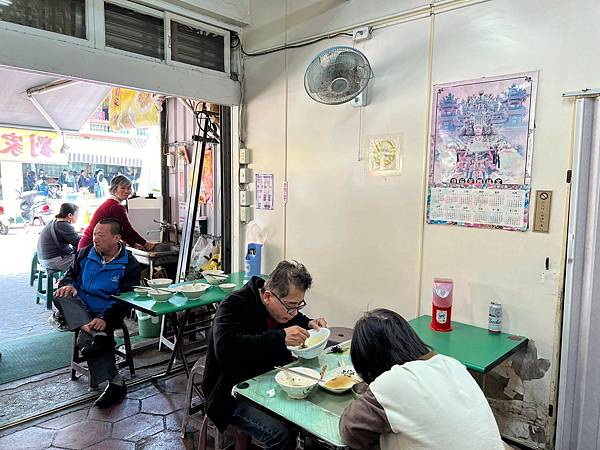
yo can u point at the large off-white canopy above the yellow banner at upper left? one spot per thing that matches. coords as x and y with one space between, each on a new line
69 106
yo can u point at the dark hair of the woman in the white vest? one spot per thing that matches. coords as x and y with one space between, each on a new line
381 340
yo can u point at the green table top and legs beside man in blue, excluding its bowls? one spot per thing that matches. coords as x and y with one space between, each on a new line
177 303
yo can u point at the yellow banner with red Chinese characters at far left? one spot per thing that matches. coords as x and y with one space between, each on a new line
31 146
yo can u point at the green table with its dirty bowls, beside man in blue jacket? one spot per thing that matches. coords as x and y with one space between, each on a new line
167 299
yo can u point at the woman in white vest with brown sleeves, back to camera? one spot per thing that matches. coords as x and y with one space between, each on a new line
417 399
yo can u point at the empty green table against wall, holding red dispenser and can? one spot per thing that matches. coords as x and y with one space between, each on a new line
479 350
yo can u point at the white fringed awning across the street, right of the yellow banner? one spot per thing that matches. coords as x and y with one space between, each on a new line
103 151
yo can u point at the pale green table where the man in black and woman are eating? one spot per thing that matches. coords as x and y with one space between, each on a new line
318 414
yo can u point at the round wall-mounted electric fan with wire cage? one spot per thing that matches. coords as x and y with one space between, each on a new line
337 75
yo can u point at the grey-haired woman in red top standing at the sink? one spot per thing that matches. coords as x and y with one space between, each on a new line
120 190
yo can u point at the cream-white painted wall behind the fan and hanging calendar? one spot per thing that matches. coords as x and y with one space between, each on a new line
361 237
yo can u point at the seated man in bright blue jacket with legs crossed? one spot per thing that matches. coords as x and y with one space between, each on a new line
100 270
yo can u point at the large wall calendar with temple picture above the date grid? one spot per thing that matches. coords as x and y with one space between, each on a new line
481 149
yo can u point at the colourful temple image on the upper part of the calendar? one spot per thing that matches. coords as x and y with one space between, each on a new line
481 133
